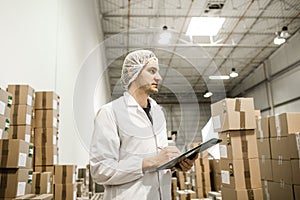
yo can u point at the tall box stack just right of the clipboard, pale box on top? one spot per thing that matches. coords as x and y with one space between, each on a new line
234 119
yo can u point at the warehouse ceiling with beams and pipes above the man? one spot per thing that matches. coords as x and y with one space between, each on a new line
244 41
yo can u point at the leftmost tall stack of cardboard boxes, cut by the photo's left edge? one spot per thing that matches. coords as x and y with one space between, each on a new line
16 151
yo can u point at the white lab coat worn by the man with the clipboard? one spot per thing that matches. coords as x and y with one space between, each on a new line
123 136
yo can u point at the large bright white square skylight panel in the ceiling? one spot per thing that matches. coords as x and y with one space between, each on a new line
205 26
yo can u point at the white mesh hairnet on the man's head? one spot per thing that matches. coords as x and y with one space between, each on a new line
133 64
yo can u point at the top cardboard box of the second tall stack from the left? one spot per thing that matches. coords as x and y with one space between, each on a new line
46 100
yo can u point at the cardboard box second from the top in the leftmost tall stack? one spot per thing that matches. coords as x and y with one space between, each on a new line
21 115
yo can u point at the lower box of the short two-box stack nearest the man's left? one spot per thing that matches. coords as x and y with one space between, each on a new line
65 191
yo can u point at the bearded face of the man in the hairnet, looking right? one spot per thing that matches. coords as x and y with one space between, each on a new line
149 77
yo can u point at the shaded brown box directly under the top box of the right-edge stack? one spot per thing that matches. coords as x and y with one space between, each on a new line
279 148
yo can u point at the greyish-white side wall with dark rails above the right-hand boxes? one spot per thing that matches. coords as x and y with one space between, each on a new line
278 81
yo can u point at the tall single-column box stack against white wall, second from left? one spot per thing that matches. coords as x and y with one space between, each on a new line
46 130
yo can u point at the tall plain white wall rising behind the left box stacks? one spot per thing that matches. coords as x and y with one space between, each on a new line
44 44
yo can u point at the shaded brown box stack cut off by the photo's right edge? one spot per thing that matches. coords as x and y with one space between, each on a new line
279 149
